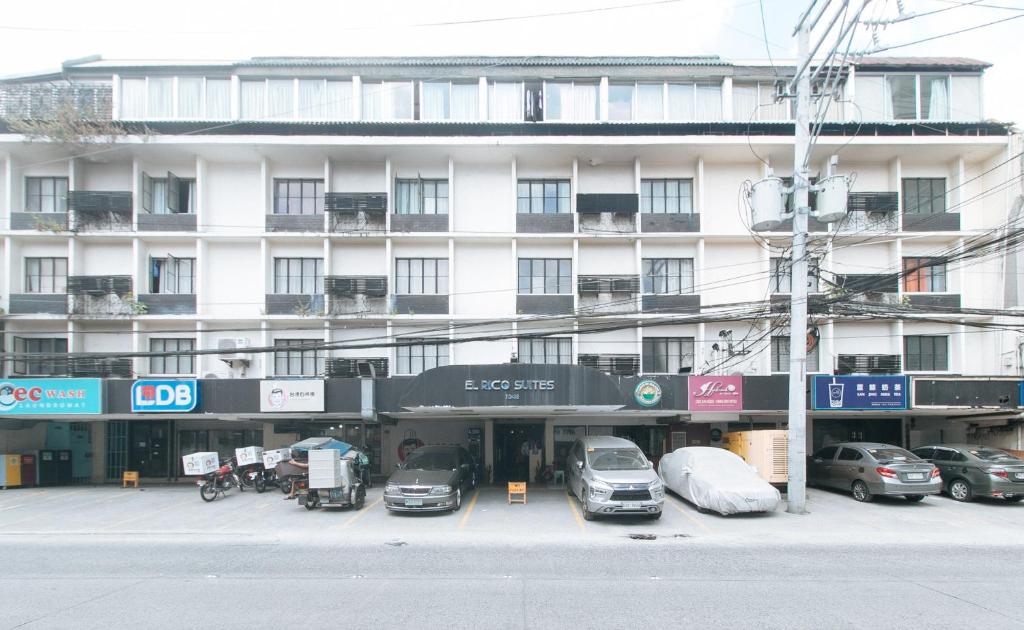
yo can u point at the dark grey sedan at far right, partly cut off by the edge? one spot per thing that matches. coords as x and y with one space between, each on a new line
973 471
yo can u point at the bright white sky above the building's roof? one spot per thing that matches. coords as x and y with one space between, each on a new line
39 35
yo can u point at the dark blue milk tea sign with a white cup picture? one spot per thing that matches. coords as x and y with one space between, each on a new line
857 393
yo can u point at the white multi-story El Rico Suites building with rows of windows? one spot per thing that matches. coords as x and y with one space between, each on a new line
483 238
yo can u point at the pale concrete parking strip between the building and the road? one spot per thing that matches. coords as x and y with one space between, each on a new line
549 516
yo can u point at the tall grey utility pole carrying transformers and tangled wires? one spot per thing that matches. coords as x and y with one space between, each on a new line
797 485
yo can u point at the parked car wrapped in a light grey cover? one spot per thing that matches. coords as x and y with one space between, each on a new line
716 480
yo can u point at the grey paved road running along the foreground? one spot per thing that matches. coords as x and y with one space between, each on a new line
221 582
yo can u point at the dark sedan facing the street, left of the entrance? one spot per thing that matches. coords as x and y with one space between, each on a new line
432 479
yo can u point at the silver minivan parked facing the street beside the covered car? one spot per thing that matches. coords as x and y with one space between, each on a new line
611 476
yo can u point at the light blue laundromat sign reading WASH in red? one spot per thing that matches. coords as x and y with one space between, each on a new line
50 397
